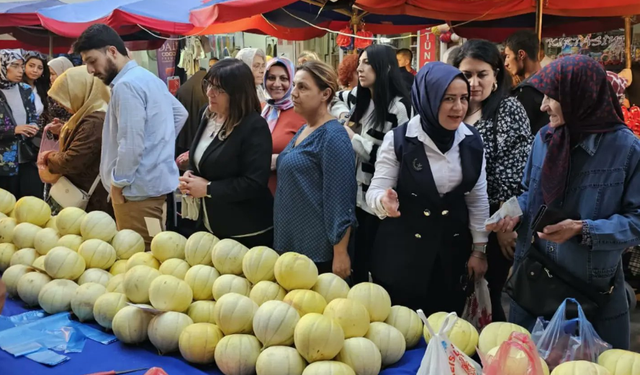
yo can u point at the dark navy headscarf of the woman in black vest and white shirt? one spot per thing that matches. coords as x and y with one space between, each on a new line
427 92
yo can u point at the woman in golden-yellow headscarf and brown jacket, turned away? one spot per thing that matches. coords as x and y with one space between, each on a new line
86 97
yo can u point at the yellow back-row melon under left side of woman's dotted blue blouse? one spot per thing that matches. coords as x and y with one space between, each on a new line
295 271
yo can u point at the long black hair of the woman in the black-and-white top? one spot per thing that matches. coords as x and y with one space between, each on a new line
389 84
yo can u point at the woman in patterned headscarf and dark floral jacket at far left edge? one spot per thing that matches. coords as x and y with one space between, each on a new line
17 123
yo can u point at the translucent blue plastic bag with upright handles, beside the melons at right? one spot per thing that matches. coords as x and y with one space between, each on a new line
561 340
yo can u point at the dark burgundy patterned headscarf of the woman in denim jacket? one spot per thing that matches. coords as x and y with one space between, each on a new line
589 105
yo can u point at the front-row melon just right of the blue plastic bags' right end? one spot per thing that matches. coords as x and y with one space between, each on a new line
130 325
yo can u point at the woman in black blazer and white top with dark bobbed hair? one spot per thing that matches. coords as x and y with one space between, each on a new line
230 159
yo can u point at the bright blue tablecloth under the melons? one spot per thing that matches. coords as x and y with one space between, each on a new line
117 356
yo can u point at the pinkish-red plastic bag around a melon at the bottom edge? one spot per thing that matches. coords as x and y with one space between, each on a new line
509 360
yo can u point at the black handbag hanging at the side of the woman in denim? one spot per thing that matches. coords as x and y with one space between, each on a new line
539 286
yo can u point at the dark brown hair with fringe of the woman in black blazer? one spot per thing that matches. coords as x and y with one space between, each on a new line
236 79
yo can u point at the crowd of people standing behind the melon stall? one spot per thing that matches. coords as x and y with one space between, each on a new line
374 171
